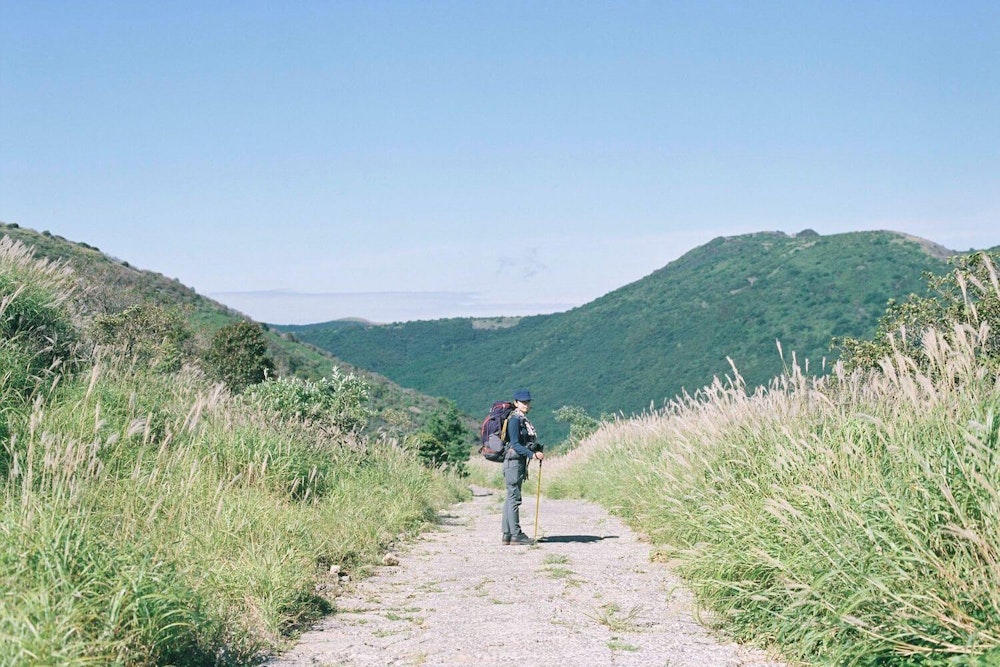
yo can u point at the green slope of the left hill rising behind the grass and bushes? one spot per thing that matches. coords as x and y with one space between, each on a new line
106 285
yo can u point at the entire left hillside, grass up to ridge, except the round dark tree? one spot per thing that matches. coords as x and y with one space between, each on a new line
149 516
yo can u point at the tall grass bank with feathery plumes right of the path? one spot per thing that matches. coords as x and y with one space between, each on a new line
846 520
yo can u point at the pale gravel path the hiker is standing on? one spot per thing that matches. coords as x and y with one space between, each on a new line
586 594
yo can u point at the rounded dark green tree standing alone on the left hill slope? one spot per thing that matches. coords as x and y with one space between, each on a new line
238 355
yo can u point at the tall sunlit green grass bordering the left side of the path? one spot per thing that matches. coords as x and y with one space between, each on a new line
184 534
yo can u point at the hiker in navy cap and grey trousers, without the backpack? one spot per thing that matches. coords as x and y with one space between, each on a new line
523 447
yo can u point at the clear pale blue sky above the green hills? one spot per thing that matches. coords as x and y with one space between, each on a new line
306 161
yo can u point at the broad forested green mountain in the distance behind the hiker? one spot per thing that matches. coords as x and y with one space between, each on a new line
665 334
